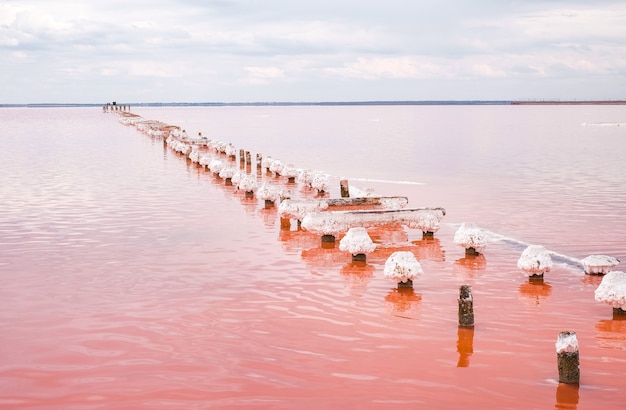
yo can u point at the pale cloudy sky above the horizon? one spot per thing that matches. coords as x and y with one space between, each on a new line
78 51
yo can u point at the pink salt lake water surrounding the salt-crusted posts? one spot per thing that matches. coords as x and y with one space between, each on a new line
133 279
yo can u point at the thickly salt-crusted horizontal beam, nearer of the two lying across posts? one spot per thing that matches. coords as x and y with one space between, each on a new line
336 222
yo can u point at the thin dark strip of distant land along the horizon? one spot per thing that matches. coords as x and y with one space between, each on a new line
329 103
